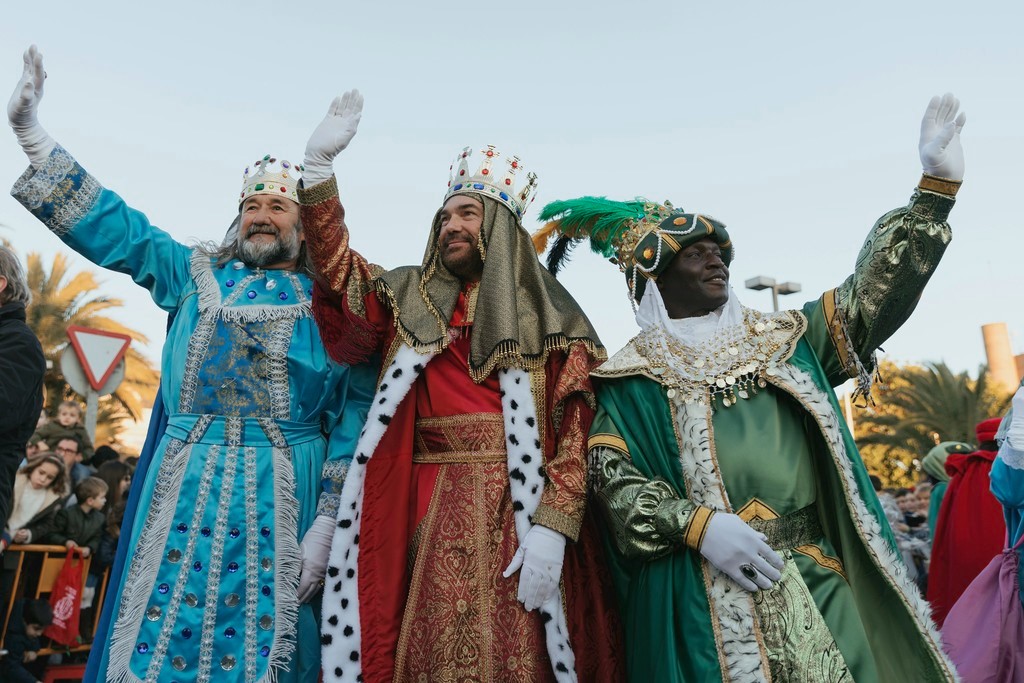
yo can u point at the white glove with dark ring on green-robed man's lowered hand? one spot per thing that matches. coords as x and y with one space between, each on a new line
732 545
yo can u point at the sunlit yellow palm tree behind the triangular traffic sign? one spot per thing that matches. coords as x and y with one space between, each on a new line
61 298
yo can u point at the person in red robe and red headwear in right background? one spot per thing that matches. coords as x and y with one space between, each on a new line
971 530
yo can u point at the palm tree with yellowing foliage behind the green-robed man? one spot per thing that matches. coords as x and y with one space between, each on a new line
917 408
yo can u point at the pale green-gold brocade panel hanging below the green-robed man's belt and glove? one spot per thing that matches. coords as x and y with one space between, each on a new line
799 646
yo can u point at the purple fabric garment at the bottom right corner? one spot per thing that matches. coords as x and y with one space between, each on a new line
985 631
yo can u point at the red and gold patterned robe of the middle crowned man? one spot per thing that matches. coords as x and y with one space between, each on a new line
410 618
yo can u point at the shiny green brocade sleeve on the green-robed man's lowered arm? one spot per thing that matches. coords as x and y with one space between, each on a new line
647 517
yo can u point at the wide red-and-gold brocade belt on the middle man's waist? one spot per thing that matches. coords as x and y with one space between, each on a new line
473 438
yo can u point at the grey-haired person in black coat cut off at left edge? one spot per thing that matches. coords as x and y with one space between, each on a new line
22 370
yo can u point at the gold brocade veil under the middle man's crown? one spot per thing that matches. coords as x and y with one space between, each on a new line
523 312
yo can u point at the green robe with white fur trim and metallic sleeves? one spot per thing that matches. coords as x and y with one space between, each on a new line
844 609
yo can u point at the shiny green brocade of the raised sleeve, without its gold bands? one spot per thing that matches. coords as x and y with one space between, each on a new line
899 259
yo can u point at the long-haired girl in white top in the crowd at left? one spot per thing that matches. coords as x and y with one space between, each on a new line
39 492
